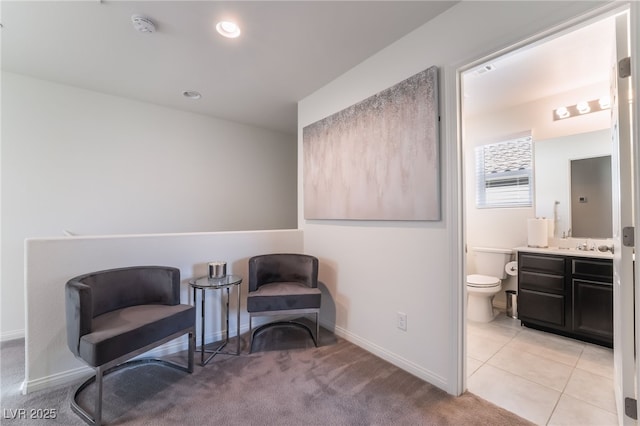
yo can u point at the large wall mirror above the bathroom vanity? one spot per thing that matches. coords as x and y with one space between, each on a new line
554 186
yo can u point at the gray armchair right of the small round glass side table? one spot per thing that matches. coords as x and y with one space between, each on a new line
283 284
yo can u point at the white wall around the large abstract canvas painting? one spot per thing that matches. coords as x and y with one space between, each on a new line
375 269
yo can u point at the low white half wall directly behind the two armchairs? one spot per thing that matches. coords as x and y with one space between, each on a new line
51 262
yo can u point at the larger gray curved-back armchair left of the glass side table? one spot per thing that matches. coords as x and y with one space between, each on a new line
117 314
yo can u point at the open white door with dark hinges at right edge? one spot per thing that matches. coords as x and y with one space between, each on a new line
623 221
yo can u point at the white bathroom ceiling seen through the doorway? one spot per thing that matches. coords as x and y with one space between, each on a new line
576 59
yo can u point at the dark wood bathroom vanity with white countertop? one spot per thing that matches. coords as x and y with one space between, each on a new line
567 292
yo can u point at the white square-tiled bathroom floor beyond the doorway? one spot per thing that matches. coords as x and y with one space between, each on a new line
545 378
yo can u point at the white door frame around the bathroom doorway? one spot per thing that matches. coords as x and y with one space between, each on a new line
457 203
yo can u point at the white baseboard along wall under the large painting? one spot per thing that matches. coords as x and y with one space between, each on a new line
391 357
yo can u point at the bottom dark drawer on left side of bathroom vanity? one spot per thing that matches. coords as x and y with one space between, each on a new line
544 307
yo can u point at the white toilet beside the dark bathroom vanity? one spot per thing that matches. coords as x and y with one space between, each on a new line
486 283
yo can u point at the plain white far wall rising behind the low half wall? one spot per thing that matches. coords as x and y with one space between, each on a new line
95 164
